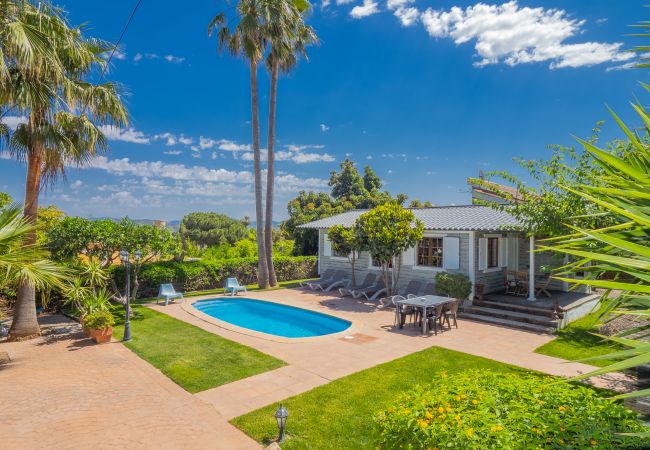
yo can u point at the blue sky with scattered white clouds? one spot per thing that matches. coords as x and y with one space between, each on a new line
426 92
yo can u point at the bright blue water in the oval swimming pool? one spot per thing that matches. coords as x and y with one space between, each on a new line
271 318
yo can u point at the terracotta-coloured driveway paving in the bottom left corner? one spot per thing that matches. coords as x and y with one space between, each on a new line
62 392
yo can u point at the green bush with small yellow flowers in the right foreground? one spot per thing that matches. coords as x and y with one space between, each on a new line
489 410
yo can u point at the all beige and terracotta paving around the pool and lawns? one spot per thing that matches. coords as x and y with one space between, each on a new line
64 392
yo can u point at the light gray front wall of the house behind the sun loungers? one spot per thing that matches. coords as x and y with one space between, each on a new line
409 271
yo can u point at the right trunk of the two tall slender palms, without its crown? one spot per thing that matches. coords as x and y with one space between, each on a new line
270 175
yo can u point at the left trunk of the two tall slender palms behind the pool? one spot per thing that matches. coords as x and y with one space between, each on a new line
262 266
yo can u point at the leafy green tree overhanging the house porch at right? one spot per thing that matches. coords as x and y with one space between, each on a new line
549 205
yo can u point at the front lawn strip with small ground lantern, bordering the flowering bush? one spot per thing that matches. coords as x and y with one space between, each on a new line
339 415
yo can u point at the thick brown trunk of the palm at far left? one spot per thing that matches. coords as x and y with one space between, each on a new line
25 324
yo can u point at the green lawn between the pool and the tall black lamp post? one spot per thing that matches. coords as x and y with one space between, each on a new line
192 357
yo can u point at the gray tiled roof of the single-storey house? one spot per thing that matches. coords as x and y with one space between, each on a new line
452 218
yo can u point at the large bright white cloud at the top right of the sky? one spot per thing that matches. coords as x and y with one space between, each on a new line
517 35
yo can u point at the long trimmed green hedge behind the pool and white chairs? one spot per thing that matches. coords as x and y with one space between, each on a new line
211 274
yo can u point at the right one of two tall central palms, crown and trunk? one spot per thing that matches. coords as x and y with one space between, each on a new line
286 44
